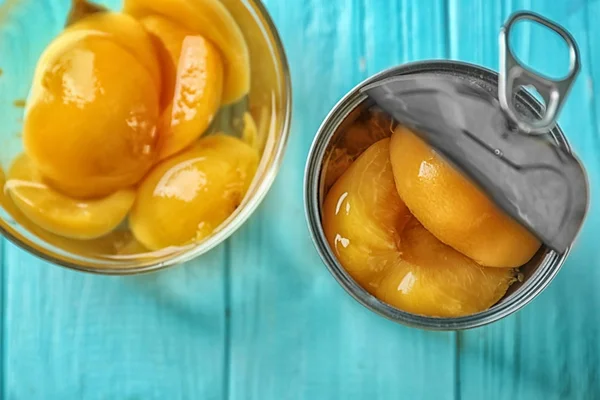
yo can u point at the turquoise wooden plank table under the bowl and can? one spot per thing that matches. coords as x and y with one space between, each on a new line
260 317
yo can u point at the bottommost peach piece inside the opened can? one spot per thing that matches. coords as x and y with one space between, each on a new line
433 279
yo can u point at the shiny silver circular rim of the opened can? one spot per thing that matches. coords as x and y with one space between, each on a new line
548 268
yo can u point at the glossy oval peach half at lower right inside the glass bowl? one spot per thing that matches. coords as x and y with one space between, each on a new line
186 197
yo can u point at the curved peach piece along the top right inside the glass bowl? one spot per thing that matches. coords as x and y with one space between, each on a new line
213 21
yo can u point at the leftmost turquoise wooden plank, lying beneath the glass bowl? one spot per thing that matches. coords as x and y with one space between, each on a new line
69 335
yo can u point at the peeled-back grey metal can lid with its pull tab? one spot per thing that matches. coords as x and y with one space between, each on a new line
507 154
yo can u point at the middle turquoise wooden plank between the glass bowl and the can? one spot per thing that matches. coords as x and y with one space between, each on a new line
295 334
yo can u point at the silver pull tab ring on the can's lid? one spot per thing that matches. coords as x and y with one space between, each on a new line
514 75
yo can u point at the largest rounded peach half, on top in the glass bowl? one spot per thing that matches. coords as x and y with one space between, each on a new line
90 122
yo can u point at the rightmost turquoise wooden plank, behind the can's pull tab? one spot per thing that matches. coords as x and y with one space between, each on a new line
550 349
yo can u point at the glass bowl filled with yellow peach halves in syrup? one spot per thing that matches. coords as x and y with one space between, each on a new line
139 134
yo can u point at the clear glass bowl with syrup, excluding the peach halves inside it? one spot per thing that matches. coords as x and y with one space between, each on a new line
28 26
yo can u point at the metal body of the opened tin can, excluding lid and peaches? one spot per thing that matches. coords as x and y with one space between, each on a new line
534 277
